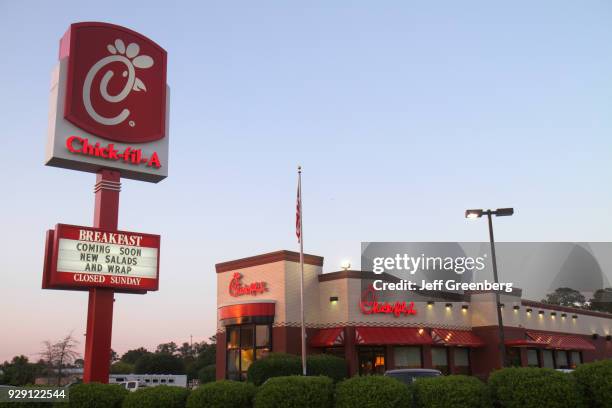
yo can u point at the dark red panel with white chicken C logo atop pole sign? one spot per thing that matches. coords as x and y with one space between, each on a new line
116 86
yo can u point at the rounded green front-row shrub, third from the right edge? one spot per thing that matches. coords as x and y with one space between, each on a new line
457 391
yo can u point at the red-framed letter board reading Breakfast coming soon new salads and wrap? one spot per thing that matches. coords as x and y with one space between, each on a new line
83 257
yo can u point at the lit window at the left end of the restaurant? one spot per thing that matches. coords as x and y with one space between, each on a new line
245 344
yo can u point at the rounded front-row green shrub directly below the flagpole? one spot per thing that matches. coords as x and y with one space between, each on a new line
296 392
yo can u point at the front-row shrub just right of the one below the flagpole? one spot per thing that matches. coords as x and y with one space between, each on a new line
372 392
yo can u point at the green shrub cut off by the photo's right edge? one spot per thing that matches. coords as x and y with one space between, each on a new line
595 383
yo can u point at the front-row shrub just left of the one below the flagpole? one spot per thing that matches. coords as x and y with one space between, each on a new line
222 394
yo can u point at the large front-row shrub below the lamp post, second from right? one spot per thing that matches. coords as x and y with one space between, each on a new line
524 387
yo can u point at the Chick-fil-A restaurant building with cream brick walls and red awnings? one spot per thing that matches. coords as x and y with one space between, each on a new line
258 311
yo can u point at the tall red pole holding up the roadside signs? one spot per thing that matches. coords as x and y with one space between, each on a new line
100 309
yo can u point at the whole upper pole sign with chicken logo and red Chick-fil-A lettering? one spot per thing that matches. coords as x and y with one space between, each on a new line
109 103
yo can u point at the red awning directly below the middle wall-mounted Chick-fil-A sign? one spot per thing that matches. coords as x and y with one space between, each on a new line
391 335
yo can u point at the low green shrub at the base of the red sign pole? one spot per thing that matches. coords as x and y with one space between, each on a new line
96 395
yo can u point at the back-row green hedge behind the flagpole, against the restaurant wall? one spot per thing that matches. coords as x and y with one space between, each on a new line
283 365
